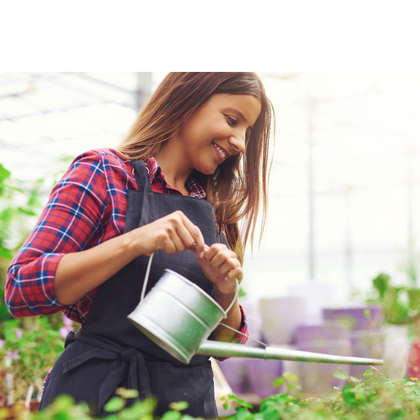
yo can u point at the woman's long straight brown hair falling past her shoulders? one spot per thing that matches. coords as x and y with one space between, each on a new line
238 187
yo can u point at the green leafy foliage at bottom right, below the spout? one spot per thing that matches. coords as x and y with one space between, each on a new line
375 398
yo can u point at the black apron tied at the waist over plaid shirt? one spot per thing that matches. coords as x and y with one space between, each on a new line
109 352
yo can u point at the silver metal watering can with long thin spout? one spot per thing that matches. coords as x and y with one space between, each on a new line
179 316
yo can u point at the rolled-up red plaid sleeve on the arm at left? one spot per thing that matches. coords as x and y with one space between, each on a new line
71 218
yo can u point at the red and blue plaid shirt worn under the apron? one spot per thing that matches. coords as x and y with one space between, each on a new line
86 207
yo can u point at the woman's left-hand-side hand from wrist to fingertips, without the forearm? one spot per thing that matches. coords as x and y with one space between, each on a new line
172 233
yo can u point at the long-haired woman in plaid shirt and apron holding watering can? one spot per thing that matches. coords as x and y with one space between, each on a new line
193 165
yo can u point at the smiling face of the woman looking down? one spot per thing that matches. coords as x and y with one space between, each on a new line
217 130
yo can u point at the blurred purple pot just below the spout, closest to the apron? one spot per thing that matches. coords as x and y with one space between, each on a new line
261 375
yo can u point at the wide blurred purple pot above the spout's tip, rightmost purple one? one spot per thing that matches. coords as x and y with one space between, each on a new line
355 317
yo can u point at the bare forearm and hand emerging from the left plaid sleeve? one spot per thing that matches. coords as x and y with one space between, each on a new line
80 272
